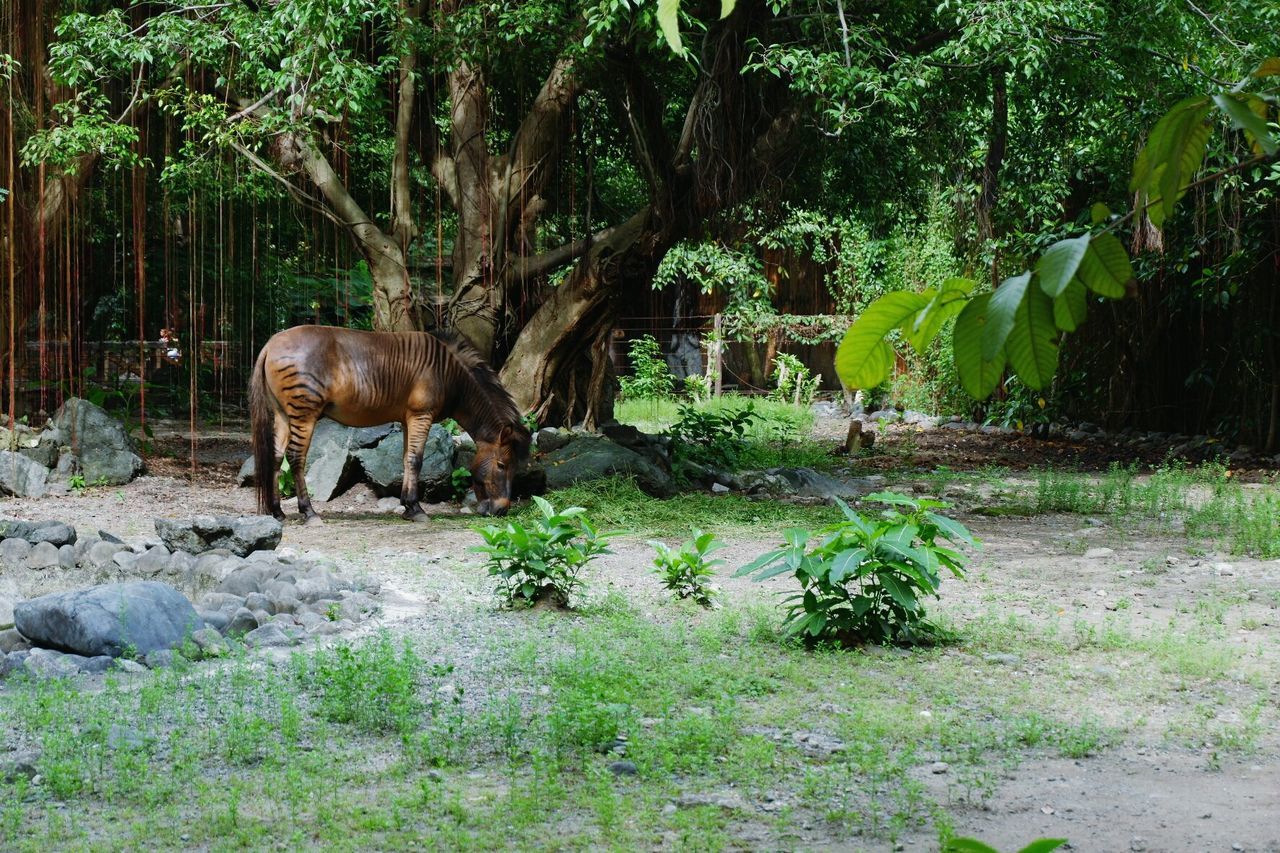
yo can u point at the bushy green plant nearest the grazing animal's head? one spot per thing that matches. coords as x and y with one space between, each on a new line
543 559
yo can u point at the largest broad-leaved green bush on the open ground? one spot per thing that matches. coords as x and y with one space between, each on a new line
865 580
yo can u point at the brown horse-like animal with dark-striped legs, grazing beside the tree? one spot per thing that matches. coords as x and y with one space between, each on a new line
369 378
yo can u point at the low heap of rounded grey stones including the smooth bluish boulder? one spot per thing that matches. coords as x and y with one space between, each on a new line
244 587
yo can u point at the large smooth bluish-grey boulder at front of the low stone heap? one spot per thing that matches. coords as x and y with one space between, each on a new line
140 618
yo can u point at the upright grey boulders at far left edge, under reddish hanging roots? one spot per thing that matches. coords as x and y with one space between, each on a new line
80 441
